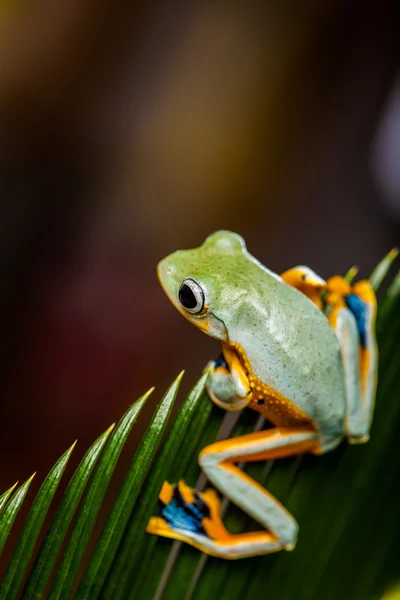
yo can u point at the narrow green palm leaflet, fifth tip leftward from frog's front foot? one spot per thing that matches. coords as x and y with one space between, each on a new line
26 543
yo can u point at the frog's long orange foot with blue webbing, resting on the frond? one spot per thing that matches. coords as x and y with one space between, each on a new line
195 518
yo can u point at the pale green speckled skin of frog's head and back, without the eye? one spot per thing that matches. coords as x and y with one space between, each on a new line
287 340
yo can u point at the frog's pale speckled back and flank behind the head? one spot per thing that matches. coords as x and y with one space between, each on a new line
291 346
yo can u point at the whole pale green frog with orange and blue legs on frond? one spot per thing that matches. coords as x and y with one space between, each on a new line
299 350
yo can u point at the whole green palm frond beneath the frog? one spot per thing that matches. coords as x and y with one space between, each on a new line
346 503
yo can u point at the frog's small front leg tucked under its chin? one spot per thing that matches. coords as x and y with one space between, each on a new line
228 385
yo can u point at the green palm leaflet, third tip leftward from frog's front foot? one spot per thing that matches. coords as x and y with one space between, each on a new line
65 578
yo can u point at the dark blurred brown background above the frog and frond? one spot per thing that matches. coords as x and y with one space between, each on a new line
129 131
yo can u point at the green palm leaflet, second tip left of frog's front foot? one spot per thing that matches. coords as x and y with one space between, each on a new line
117 521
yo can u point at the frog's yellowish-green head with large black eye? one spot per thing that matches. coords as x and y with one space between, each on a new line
206 284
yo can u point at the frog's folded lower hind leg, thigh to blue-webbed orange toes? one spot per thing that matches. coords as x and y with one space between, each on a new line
194 517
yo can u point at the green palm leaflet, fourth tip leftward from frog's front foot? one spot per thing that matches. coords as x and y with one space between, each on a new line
42 568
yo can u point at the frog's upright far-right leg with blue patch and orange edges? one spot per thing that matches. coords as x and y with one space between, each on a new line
354 322
